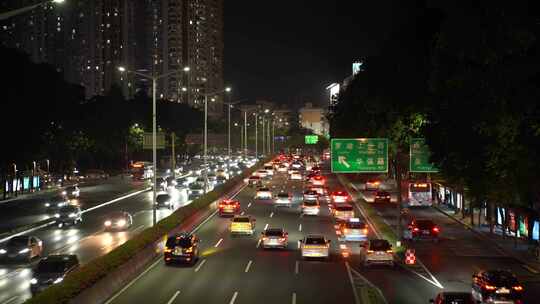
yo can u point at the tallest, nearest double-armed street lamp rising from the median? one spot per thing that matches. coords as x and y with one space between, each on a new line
154 152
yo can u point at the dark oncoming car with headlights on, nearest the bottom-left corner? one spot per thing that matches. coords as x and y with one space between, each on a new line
52 270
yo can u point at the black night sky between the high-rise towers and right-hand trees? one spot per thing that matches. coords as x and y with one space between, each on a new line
288 51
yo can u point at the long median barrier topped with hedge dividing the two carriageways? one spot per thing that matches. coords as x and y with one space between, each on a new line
102 277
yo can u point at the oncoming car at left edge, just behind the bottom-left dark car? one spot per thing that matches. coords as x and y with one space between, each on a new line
22 248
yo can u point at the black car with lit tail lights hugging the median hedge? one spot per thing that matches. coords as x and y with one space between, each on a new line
181 248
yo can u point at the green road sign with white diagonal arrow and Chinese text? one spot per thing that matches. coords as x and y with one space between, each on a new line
359 155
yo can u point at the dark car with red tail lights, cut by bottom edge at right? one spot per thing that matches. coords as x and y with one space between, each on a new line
496 286
